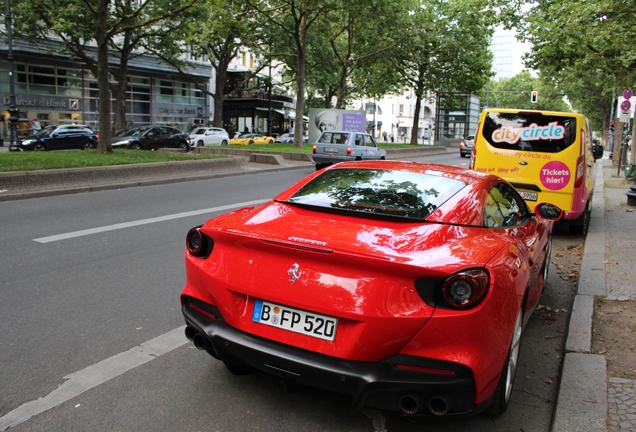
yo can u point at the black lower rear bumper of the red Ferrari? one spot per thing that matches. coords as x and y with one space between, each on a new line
409 385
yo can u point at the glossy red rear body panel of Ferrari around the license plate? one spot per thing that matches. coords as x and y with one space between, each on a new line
361 271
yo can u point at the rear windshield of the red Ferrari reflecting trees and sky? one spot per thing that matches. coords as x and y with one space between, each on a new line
378 192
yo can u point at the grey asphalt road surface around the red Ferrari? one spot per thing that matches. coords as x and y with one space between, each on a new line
91 331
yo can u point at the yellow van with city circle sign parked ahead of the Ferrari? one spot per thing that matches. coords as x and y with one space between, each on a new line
546 155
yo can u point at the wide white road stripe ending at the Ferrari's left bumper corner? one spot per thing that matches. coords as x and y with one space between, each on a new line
94 375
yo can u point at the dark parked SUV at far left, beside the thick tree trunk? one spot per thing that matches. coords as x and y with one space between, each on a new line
59 137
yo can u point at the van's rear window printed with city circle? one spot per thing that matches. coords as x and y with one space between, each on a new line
529 131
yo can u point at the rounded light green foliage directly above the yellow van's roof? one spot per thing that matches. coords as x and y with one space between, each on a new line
515 92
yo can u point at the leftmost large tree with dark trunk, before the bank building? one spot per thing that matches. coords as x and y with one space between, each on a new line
123 26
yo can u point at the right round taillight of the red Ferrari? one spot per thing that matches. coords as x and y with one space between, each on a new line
466 289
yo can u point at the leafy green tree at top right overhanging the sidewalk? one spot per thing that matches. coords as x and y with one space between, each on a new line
586 46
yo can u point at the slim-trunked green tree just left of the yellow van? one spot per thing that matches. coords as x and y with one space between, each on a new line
444 49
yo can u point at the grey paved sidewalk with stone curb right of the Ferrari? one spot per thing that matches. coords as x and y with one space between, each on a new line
589 398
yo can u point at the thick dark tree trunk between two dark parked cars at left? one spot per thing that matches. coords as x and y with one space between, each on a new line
105 133
